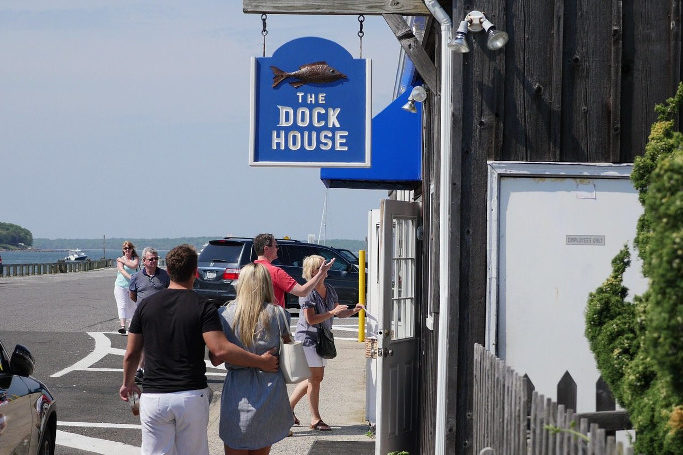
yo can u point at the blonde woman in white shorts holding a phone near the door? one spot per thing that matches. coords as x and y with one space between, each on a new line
318 307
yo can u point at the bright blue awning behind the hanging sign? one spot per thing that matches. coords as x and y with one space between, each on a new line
396 152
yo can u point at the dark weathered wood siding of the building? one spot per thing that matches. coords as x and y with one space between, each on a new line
577 82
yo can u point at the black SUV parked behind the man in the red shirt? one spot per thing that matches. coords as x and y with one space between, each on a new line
221 260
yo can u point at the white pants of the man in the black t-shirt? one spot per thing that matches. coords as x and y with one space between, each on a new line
175 423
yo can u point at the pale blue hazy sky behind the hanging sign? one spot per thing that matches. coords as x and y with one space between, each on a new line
130 118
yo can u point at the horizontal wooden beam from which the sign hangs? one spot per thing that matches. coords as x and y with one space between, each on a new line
336 7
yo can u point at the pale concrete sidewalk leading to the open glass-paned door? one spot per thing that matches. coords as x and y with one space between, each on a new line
342 406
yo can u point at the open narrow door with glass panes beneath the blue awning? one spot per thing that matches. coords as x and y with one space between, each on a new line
397 345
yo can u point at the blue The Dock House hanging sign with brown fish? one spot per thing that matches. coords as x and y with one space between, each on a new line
311 105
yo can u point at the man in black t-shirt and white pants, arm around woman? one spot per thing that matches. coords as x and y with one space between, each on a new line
173 327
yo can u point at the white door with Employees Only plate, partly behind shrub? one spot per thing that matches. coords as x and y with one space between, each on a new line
554 229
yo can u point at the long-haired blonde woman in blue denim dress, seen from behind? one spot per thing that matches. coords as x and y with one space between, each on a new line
255 410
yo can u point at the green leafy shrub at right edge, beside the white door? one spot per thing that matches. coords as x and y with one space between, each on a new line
638 345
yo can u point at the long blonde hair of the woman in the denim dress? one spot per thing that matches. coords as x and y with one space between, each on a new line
254 293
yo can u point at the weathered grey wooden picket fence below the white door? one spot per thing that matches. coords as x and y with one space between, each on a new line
510 419
